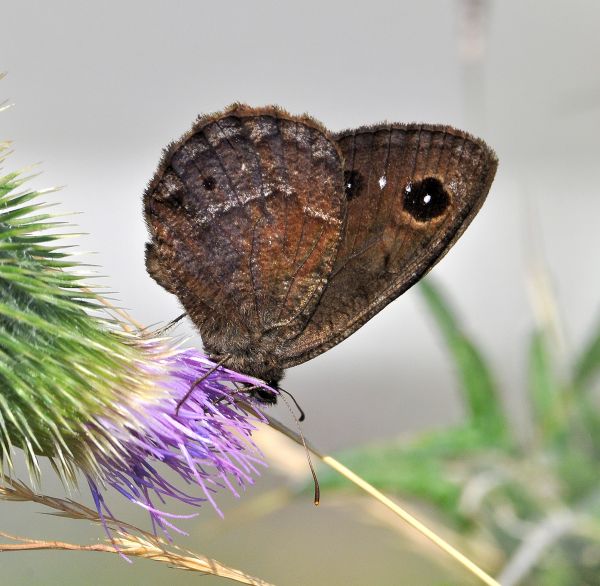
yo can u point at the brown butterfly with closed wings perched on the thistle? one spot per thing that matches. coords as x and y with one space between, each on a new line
281 239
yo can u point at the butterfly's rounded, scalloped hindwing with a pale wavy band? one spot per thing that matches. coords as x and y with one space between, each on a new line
245 214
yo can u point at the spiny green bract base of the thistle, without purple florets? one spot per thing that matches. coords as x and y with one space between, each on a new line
59 359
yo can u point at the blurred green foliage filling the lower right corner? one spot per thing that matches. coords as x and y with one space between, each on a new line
535 500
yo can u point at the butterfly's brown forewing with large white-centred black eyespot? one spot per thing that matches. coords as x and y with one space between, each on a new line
411 191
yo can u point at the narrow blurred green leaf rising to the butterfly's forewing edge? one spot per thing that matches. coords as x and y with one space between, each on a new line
476 379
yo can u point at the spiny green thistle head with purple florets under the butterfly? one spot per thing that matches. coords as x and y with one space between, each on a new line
78 389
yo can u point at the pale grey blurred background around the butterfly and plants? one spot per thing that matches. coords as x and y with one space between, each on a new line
100 88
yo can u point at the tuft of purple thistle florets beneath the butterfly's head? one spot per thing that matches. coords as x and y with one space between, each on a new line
207 443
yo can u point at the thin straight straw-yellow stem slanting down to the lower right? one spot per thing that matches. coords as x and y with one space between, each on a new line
387 502
